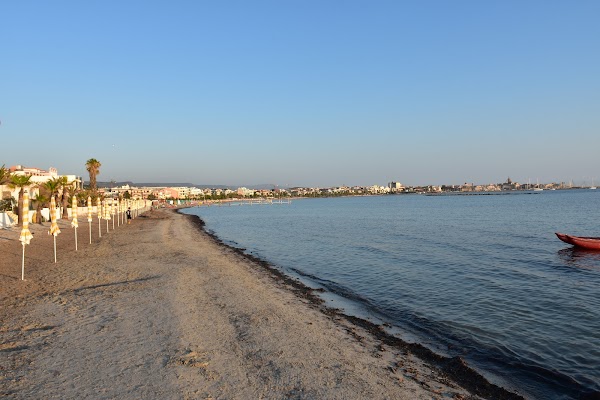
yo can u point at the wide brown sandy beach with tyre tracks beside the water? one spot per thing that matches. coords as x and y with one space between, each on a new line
159 309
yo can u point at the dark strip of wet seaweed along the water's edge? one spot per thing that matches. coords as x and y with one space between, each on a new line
455 367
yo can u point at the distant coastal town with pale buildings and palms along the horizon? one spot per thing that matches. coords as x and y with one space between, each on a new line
68 190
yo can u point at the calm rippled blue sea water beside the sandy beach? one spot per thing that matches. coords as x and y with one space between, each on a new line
481 277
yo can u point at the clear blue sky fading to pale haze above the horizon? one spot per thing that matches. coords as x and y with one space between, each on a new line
312 93
